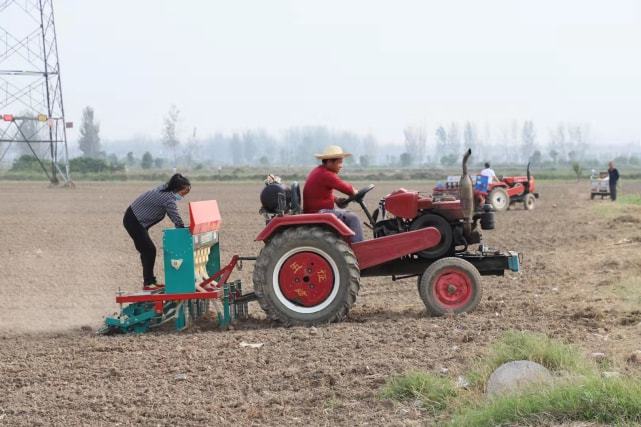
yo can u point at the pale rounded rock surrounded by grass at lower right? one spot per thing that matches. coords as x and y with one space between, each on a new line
515 376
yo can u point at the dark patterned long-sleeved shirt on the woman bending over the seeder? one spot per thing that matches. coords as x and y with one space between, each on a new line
151 207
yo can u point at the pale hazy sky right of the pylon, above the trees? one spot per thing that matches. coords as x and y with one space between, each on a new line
366 66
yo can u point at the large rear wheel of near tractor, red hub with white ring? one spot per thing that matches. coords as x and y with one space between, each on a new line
306 276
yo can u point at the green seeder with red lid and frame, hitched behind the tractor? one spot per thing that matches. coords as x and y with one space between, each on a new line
196 287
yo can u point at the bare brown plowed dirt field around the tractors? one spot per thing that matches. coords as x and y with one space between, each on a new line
64 254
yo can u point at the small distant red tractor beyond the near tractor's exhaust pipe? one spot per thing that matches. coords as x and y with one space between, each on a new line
509 190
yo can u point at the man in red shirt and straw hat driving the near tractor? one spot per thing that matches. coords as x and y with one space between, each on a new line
318 194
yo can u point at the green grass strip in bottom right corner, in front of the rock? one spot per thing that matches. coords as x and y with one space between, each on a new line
614 401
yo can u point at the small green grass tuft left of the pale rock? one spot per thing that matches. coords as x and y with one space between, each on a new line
432 391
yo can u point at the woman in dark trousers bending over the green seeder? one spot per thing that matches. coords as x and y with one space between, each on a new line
148 210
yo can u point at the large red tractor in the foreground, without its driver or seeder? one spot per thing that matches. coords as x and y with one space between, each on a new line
309 271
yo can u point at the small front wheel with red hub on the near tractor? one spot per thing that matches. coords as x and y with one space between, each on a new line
450 285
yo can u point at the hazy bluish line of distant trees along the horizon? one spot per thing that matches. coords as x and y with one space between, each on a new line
514 143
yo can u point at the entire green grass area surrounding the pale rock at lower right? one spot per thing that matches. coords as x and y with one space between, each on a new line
580 394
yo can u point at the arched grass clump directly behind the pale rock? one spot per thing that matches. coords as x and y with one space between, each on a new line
518 345
